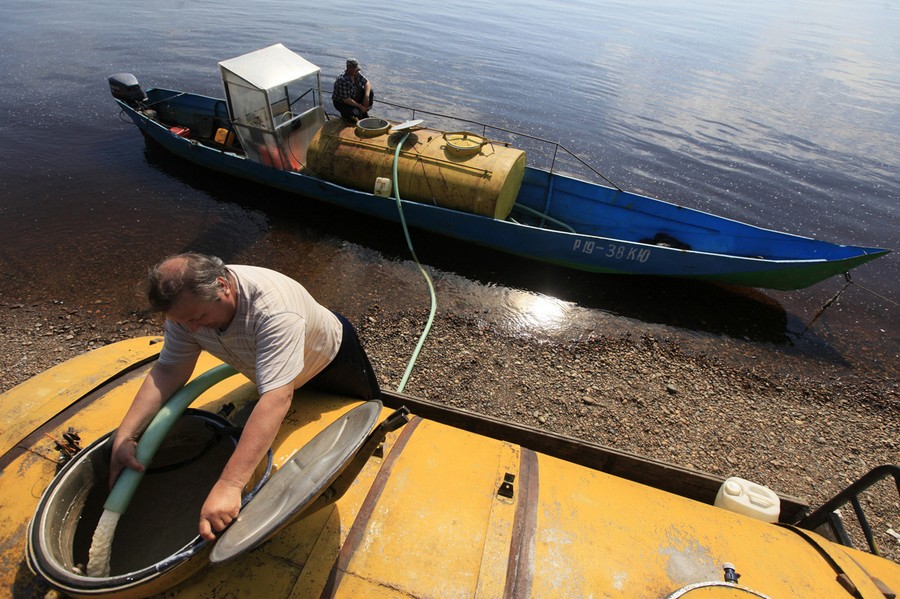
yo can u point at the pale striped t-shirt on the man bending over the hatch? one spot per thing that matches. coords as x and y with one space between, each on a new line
279 332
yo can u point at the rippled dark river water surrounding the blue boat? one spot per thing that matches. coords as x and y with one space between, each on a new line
781 114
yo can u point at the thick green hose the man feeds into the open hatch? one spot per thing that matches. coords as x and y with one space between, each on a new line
162 423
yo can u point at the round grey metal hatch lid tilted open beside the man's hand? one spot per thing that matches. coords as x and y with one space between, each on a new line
298 483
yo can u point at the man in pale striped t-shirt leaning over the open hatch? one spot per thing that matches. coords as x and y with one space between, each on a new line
269 328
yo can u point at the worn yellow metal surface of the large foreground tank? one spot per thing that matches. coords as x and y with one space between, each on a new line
427 519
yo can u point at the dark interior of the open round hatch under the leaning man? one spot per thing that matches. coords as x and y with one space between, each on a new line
164 513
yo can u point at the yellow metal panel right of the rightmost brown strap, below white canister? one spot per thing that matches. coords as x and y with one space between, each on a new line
633 541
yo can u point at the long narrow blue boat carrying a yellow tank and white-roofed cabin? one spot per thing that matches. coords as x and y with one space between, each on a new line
272 129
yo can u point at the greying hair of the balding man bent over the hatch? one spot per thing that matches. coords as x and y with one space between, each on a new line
192 272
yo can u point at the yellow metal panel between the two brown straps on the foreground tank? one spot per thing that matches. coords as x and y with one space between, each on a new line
428 533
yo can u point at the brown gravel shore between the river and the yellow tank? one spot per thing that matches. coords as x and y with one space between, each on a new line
638 392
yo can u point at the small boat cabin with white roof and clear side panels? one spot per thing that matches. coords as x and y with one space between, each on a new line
274 101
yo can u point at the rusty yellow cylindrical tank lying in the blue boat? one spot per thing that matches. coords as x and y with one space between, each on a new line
462 171
